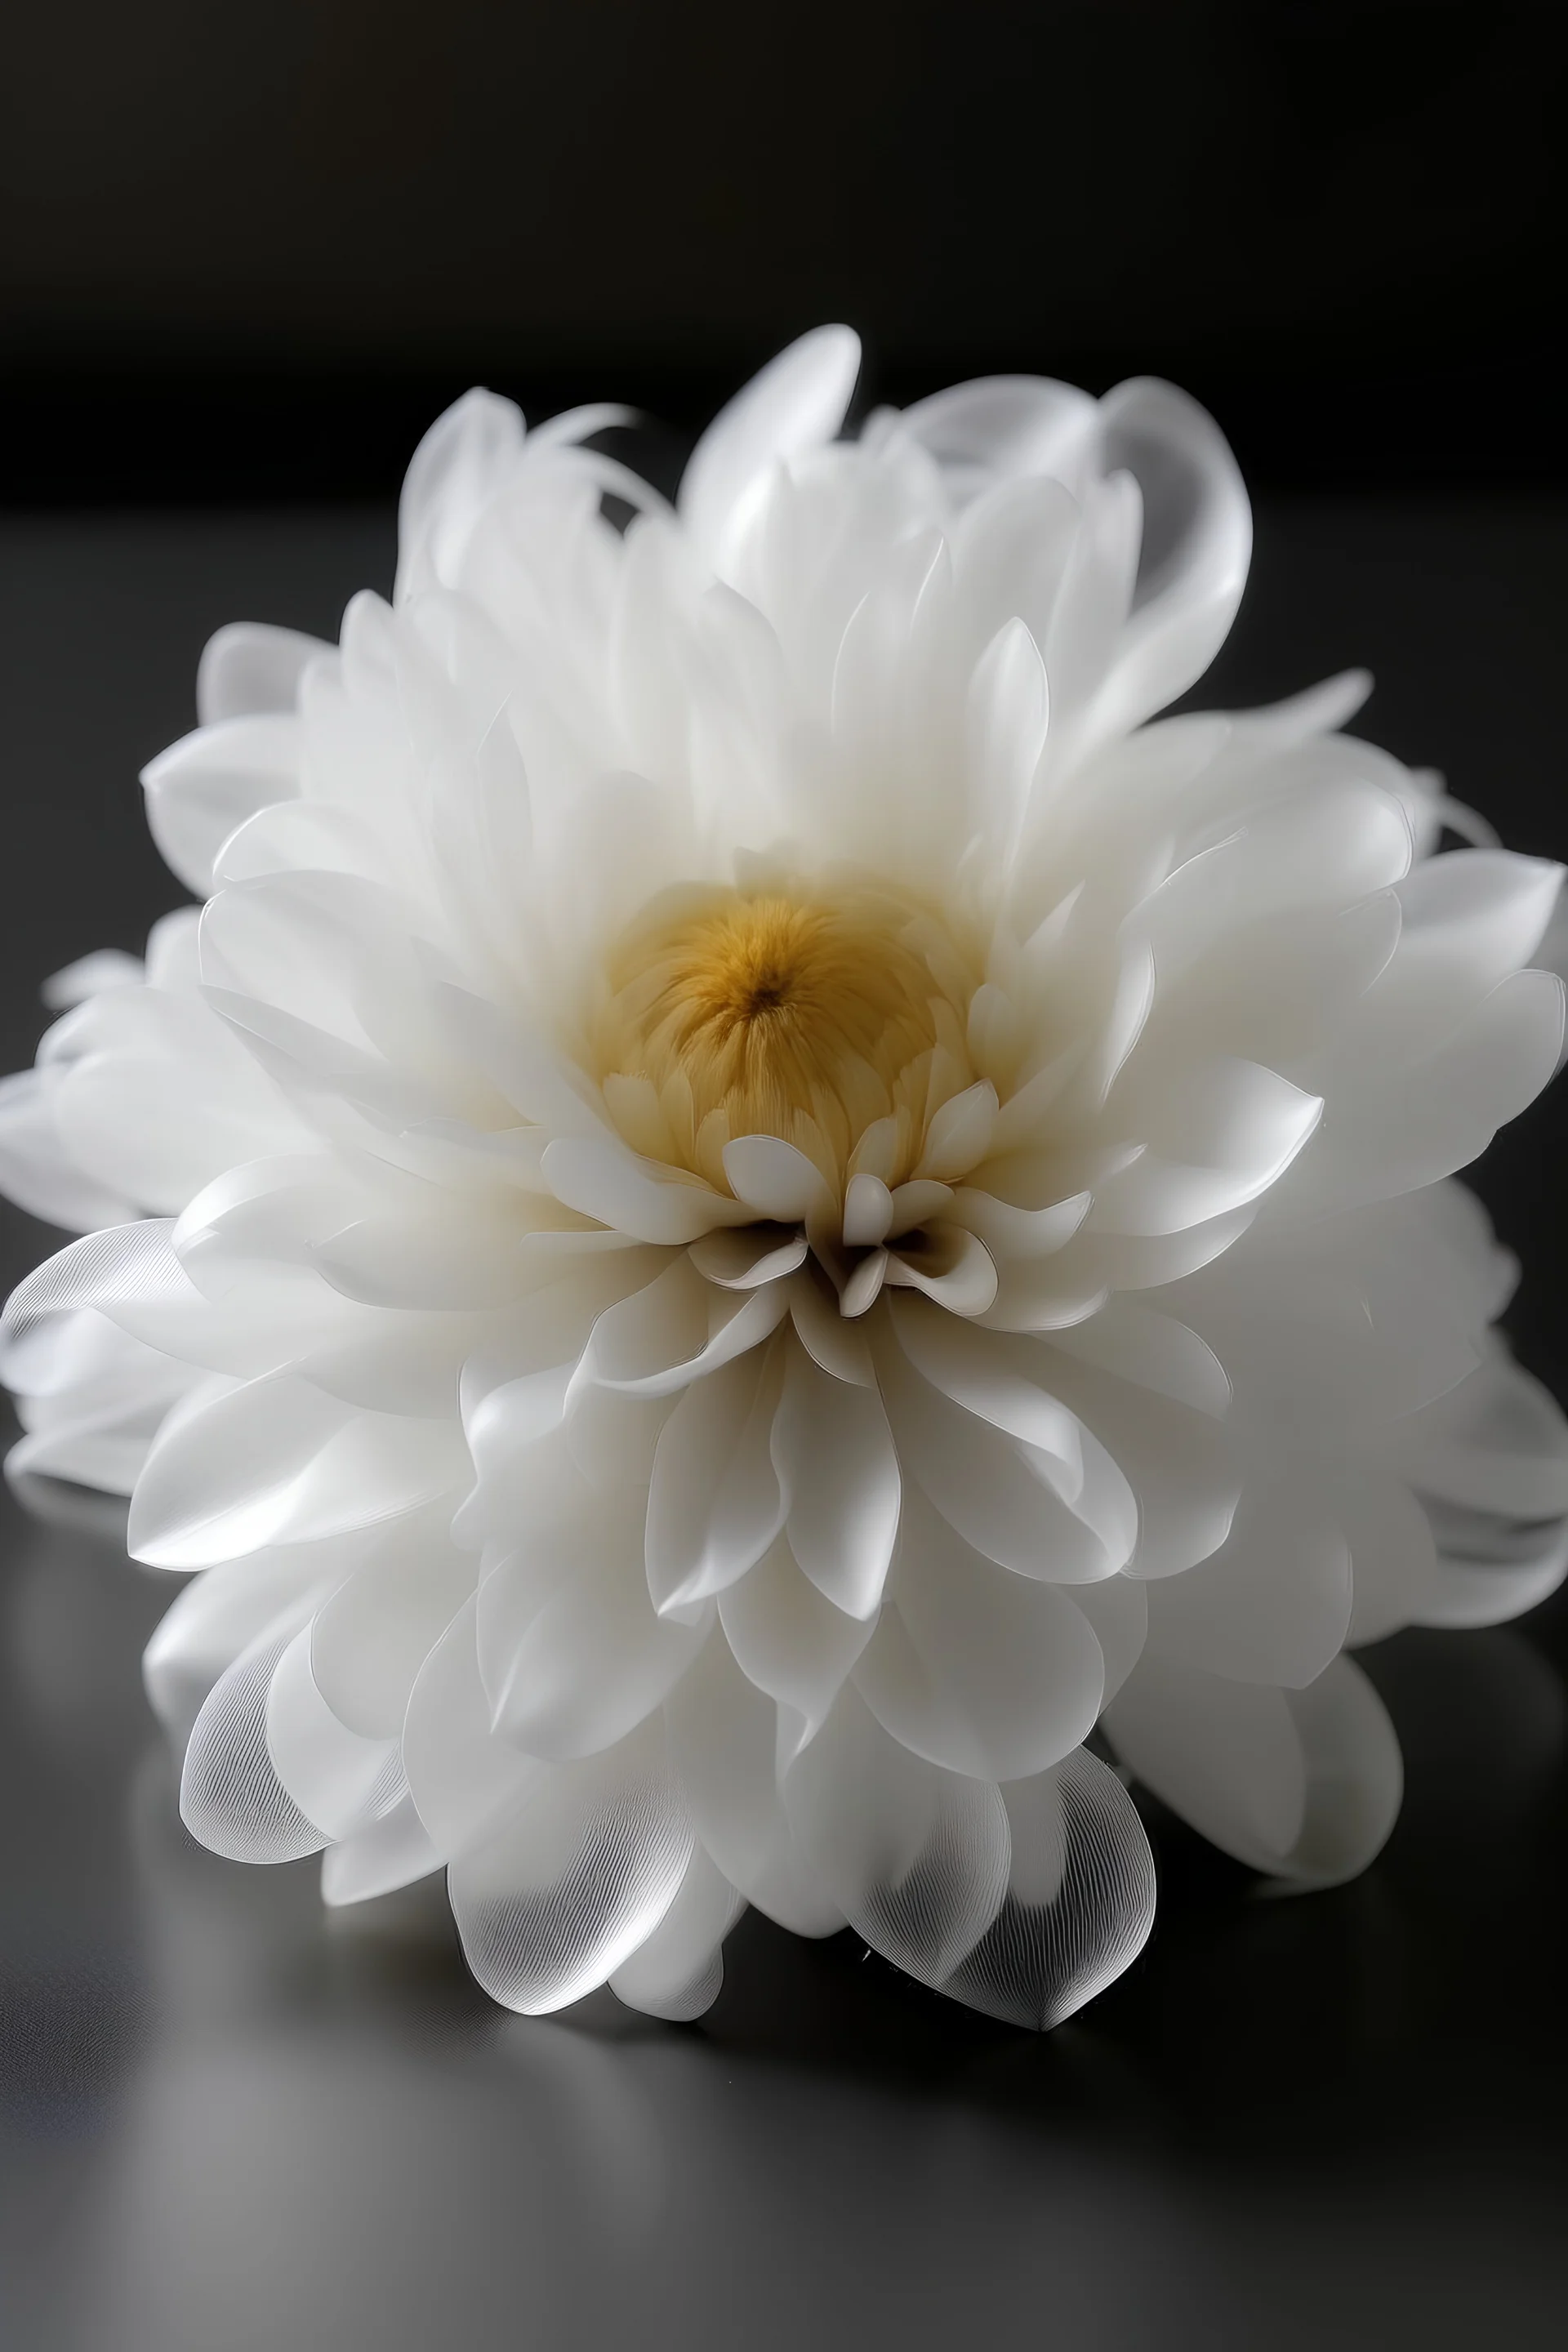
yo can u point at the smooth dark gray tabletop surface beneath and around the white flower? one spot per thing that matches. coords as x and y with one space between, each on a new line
232 2123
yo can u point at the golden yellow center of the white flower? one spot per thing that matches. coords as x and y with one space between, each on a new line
810 1017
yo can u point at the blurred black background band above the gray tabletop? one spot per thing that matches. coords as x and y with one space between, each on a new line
250 250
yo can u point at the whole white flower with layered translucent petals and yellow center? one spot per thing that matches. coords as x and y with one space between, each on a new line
756 1210
